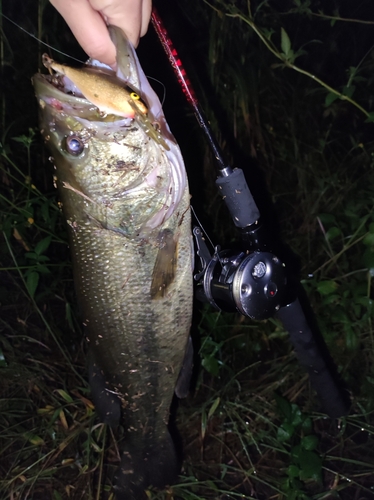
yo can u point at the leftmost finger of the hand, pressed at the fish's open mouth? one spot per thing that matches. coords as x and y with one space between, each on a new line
92 34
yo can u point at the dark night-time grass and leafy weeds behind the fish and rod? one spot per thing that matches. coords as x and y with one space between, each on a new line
288 89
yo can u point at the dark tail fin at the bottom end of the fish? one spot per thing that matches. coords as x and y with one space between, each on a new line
156 465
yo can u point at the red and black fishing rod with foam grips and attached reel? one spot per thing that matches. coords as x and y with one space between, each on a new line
254 281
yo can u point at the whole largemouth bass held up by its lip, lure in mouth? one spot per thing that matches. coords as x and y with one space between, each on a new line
124 193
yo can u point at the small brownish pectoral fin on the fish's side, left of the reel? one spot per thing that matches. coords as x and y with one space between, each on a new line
165 265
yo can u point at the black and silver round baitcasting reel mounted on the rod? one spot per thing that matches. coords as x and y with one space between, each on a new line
254 283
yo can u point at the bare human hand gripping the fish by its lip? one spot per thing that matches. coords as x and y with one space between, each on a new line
88 20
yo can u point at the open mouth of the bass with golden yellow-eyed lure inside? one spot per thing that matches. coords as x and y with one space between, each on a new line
62 89
